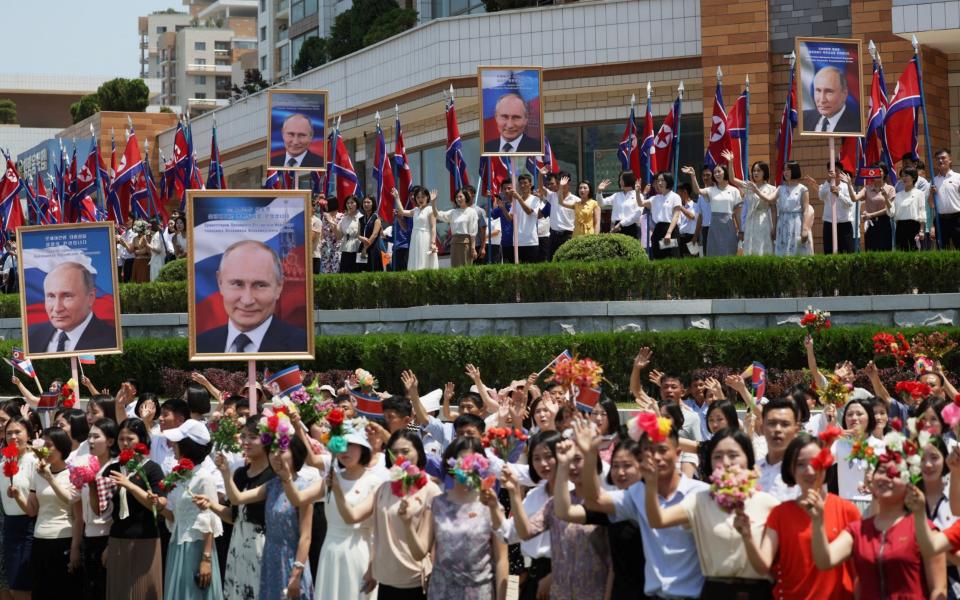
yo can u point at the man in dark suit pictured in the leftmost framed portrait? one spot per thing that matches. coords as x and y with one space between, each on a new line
69 293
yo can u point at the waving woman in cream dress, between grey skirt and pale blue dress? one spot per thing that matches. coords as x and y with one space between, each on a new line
760 202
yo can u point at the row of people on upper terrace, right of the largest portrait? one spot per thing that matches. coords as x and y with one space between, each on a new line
710 214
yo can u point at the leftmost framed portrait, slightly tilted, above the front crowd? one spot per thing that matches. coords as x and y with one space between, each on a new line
69 303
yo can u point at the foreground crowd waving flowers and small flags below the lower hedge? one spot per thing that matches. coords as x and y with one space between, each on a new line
131 497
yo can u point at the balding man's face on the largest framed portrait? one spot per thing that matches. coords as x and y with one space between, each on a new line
248 283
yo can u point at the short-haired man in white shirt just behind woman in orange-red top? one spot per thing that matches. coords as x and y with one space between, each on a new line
780 427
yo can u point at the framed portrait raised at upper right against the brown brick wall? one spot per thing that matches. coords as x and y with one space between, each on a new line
830 89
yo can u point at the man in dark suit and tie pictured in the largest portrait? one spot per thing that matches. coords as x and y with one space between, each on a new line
250 280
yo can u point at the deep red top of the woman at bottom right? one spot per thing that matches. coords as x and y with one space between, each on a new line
888 563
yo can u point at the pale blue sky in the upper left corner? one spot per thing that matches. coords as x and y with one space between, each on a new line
81 37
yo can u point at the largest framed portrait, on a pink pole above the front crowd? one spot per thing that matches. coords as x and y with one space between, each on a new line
249 275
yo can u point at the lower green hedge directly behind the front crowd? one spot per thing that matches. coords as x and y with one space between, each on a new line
438 359
